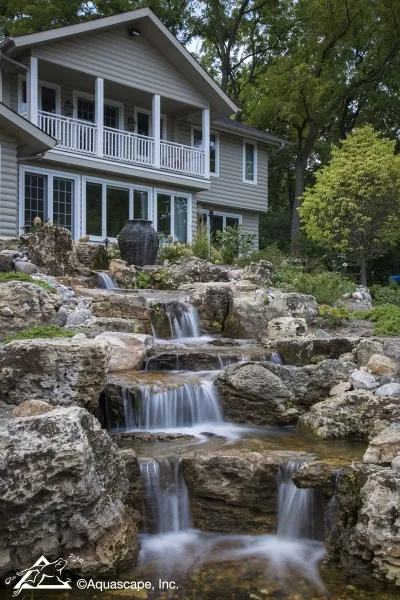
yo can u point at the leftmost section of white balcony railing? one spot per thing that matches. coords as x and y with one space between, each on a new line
71 134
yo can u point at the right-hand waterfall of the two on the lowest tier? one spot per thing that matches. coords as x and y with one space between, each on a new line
296 508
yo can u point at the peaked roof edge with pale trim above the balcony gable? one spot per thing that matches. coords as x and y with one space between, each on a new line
160 36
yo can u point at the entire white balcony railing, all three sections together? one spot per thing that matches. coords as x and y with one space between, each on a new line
84 137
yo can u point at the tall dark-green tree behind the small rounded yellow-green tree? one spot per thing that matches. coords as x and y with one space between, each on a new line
339 59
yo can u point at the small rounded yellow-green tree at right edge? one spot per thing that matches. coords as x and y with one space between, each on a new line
354 205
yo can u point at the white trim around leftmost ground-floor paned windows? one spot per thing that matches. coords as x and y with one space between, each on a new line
50 174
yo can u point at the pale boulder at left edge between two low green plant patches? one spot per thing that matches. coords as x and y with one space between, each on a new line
23 305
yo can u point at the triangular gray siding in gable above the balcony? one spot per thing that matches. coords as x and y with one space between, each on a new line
115 56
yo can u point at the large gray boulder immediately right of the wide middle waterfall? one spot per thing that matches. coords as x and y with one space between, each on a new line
265 393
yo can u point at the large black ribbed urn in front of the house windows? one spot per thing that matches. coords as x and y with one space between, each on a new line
138 242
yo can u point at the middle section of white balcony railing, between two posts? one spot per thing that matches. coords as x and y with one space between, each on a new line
128 147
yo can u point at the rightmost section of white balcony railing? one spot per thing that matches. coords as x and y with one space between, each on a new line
184 159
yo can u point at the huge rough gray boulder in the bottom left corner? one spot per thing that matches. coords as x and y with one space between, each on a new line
62 493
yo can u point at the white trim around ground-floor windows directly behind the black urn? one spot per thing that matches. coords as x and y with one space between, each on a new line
116 184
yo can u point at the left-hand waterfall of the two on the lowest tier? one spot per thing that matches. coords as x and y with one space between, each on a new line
166 506
